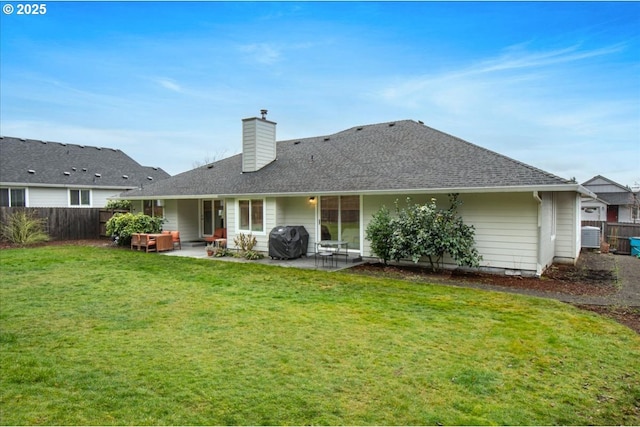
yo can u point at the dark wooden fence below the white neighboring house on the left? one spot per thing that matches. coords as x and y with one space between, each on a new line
64 223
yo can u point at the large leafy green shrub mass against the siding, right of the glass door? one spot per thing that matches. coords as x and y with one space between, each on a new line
424 231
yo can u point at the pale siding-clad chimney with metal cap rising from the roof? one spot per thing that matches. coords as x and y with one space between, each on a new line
258 142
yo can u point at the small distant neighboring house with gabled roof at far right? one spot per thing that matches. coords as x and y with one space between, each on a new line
614 202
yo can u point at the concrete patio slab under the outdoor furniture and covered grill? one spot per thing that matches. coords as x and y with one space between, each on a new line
197 250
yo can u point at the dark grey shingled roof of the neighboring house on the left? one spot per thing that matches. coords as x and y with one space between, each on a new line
33 162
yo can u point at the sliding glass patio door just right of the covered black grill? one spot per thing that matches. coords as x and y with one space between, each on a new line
340 219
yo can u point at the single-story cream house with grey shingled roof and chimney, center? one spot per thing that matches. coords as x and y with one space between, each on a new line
524 218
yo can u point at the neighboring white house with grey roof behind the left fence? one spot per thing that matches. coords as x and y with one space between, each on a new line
53 174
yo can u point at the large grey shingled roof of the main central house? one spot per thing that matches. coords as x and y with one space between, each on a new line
386 157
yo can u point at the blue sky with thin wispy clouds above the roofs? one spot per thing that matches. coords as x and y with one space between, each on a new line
554 85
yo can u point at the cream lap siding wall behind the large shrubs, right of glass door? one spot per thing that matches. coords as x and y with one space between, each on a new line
506 225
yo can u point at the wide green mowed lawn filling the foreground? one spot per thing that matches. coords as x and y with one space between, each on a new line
105 336
